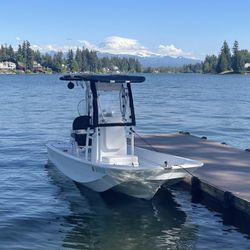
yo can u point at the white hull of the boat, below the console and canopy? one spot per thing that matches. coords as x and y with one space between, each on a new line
140 182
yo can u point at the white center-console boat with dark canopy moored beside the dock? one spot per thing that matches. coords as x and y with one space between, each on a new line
101 153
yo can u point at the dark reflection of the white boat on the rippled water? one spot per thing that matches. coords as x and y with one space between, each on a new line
115 221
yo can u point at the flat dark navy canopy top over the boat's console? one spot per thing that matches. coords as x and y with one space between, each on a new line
104 78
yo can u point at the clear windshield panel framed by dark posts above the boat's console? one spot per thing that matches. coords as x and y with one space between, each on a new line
113 103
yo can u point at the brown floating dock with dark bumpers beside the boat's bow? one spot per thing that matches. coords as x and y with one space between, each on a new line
226 172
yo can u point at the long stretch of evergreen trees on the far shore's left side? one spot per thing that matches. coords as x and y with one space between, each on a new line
82 60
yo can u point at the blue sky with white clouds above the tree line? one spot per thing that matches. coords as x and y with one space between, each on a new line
191 28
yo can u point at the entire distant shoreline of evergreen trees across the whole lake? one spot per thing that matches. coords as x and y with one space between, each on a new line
85 60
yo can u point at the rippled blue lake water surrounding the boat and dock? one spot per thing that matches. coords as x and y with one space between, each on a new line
42 209
